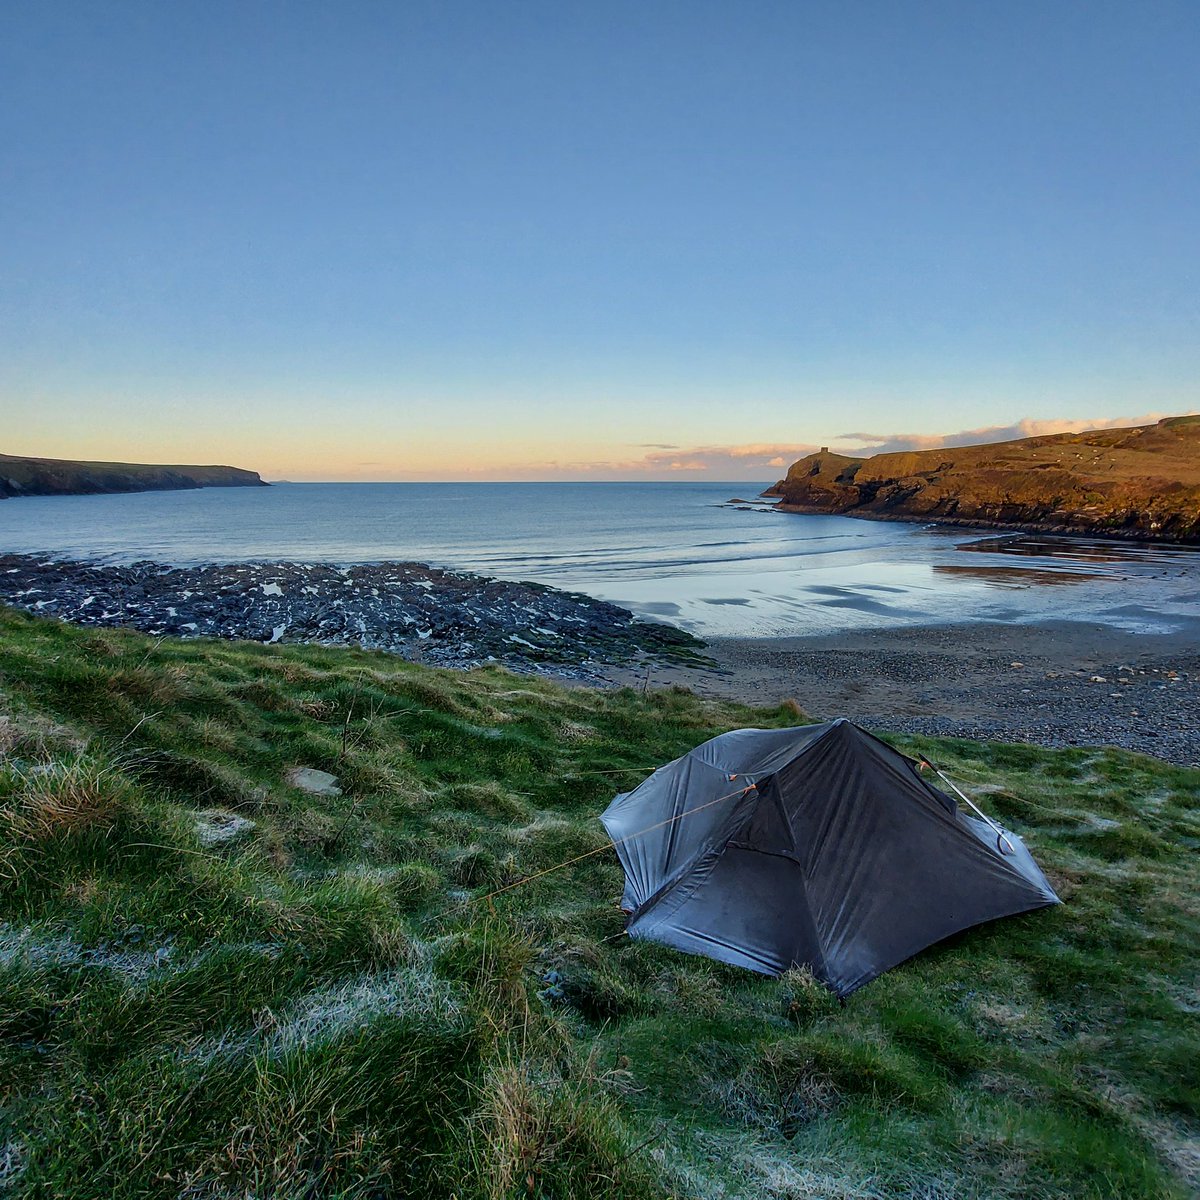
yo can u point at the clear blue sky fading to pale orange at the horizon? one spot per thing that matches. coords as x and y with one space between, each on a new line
538 241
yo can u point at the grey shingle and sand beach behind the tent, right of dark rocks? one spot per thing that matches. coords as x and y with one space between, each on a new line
1055 683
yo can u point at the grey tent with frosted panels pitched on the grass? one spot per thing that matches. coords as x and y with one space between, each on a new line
818 847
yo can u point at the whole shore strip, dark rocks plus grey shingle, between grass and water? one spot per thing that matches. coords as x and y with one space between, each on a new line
1054 685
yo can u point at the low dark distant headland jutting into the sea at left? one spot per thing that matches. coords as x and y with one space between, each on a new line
62 477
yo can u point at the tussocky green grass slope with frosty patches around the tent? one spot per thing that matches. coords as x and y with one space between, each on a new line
307 1010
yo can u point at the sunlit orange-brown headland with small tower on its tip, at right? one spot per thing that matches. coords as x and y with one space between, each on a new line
1136 483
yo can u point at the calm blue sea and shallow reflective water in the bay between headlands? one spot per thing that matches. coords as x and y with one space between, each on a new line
677 553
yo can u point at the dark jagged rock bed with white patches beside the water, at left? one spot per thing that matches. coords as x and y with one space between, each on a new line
423 614
